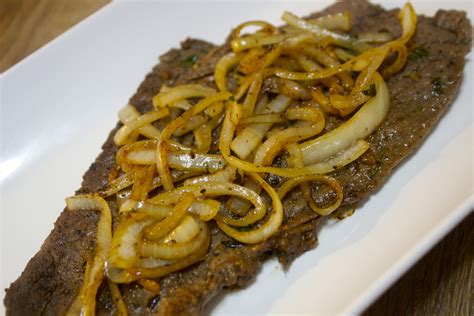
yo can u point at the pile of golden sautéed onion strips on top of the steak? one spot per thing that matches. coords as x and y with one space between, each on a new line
204 153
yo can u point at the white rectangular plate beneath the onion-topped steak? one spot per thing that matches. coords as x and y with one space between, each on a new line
58 105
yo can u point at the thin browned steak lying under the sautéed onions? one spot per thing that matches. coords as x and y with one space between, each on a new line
420 94
